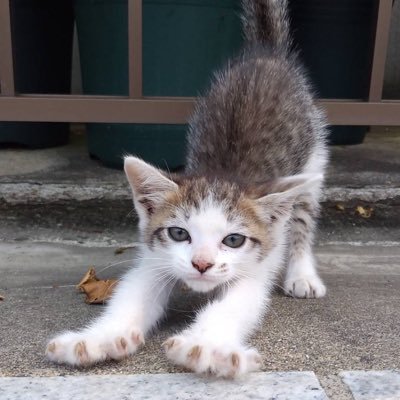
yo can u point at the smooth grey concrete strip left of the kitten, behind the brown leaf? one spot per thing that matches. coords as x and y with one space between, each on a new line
49 265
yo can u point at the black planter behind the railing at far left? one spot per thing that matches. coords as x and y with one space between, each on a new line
42 52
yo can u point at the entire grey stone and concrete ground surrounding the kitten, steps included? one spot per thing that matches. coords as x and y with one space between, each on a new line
61 212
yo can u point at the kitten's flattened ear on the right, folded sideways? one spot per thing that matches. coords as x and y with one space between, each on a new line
284 192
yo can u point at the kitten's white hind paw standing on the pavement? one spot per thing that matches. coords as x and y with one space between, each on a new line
305 287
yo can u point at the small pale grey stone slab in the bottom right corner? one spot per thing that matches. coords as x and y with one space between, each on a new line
373 385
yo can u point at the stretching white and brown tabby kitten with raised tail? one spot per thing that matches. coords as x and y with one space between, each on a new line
244 206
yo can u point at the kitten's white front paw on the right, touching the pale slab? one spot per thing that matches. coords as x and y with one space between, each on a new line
204 357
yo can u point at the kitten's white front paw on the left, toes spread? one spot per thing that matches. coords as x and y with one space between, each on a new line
83 349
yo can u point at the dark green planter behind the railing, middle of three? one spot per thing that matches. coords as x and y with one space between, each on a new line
183 42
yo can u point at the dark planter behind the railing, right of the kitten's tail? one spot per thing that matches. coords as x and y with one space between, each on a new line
335 39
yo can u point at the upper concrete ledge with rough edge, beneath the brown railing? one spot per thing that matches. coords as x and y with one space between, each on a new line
369 173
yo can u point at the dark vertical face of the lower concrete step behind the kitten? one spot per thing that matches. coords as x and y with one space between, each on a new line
115 224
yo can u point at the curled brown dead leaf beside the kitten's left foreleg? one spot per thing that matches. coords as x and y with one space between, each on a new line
97 290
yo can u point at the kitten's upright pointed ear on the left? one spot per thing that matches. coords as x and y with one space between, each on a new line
149 186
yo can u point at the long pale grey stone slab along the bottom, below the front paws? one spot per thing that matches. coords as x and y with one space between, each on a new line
258 386
